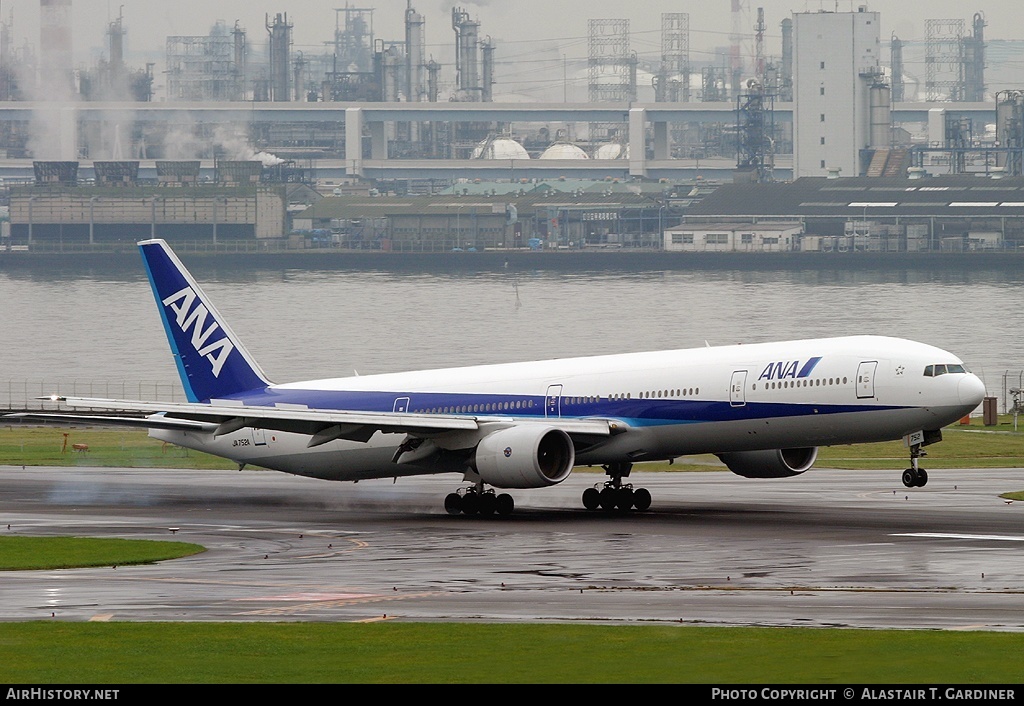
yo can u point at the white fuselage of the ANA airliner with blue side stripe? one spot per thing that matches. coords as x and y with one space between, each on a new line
673 403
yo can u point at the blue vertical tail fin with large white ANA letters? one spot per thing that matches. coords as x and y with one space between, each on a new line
211 360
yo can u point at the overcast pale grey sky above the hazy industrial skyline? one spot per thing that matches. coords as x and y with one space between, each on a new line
524 31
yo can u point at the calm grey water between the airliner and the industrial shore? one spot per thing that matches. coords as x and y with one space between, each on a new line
60 324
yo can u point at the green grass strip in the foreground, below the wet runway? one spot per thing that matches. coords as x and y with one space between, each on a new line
461 653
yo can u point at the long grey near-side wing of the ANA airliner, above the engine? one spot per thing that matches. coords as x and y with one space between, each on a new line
225 417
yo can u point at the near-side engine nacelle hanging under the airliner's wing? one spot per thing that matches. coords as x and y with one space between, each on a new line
525 456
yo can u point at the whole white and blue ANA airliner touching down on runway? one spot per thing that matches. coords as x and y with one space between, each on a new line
764 409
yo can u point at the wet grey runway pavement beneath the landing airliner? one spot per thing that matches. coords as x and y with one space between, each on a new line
827 549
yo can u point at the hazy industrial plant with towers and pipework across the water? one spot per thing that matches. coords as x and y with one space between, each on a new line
373 143
